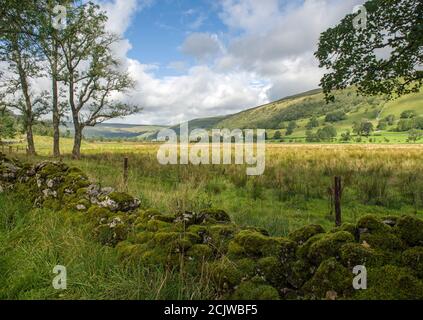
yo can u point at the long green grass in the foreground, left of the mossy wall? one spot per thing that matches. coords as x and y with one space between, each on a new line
33 241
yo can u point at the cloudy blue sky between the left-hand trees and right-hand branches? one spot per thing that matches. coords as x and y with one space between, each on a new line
201 58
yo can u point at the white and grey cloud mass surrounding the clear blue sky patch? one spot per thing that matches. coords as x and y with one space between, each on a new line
267 54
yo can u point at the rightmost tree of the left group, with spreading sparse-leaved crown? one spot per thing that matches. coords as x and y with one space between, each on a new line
92 73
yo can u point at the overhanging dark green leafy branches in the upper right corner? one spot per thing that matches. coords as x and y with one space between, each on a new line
351 55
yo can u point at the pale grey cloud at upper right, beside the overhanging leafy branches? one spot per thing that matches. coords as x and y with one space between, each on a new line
280 48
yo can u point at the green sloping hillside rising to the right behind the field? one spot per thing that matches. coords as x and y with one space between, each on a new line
301 107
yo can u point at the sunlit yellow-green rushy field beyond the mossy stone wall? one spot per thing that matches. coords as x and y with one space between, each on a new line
294 190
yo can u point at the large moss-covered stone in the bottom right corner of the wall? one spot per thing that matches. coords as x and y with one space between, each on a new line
391 283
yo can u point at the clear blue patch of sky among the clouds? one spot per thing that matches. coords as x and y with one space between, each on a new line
157 32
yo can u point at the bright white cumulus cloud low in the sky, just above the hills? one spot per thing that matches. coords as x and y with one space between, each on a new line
201 92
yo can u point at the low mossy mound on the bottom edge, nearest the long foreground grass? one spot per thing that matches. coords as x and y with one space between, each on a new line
255 289
